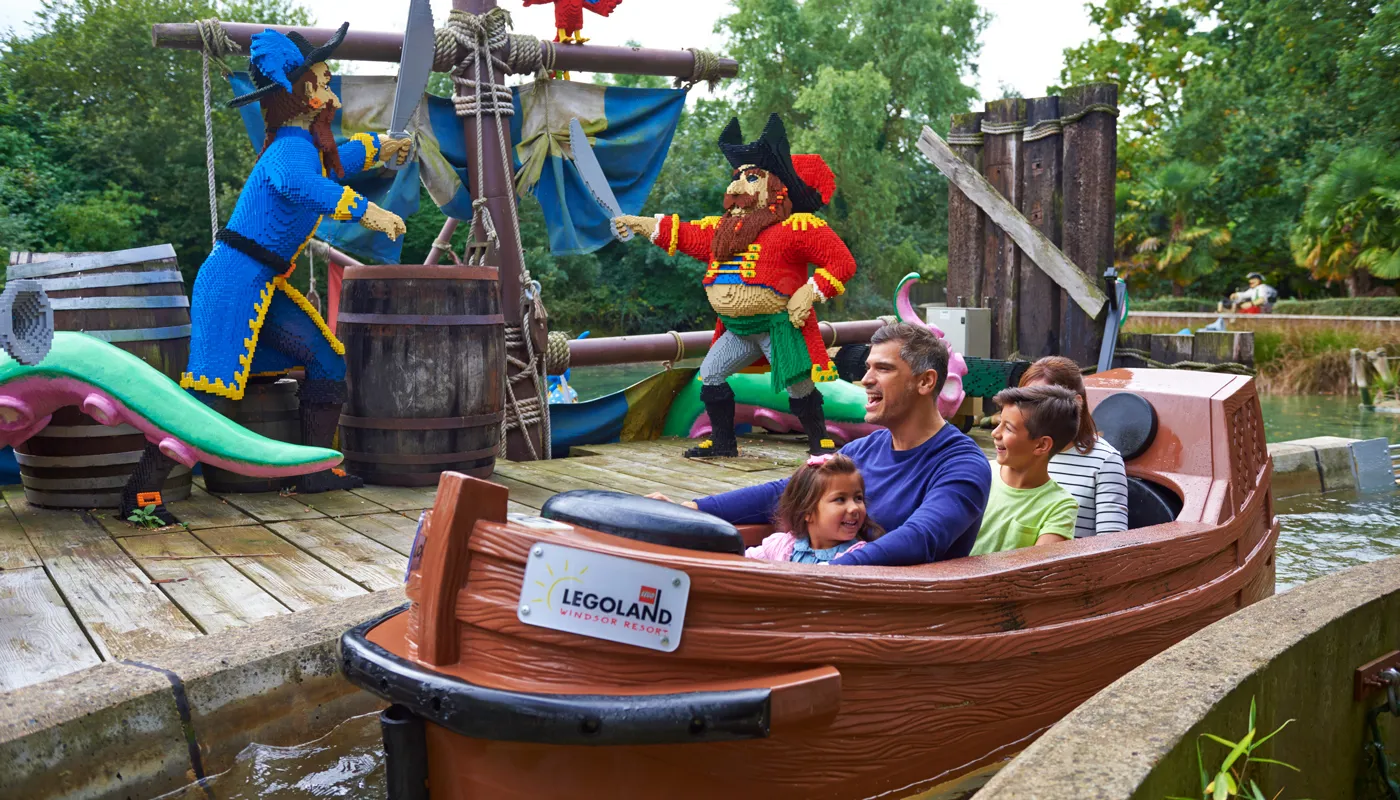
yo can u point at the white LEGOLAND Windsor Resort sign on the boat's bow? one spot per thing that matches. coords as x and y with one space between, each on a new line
605 598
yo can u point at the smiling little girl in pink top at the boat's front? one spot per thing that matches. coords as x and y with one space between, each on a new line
822 513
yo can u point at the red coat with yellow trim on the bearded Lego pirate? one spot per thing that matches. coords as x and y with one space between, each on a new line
778 260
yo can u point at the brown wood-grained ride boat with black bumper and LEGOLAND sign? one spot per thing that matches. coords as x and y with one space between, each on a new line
729 677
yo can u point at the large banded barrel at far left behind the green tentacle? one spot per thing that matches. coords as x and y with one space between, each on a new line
136 301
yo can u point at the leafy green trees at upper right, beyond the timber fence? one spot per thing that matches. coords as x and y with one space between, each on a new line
1265 96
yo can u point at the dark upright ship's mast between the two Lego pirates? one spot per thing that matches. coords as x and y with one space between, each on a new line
499 191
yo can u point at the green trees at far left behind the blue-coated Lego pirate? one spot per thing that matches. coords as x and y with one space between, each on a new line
104 135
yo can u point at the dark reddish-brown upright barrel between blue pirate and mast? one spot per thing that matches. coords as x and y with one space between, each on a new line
426 359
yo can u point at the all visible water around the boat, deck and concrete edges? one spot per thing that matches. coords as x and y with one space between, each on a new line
1321 535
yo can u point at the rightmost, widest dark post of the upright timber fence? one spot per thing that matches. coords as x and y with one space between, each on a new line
1090 177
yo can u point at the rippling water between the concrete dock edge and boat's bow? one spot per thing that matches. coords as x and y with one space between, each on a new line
346 763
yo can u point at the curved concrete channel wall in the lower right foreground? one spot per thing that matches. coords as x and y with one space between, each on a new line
1294 654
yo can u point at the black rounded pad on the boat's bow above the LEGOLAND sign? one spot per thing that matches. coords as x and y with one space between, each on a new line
645 520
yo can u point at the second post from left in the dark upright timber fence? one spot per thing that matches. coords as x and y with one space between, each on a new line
1002 261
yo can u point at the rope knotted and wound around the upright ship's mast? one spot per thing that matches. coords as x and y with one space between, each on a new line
467 48
